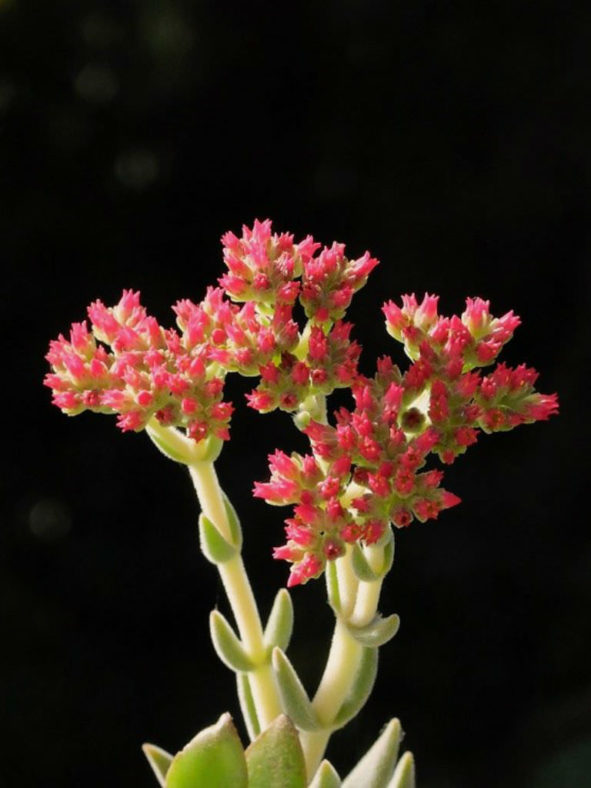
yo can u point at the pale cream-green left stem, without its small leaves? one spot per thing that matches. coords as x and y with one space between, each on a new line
240 596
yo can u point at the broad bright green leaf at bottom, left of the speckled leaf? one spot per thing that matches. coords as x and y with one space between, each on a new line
214 758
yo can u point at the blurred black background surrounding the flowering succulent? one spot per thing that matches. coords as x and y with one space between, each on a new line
453 141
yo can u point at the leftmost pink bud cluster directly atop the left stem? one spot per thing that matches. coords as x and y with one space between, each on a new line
128 365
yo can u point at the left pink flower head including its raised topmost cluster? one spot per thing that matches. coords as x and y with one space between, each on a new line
129 365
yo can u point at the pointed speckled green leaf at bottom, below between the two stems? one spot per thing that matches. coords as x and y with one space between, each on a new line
276 757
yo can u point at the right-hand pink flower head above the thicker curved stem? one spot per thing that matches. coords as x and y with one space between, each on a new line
368 469
